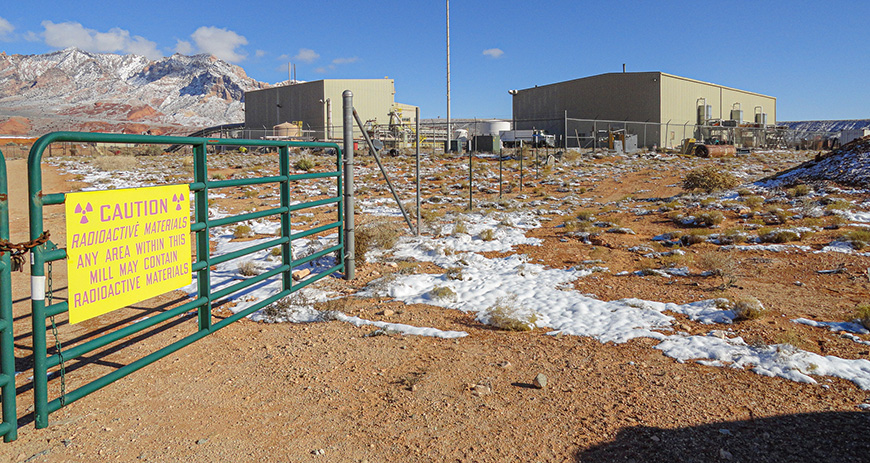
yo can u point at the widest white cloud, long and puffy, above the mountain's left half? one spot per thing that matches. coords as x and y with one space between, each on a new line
73 34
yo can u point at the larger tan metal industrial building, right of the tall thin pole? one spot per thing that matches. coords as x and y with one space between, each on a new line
672 107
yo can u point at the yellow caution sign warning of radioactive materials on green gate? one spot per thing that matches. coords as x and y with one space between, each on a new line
125 246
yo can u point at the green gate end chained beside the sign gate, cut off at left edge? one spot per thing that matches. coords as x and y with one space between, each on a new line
9 425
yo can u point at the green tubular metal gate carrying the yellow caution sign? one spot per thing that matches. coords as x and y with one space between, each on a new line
201 225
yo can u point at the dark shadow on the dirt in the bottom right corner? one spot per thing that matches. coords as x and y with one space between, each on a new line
816 437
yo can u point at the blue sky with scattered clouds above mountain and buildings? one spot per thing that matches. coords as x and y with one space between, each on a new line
811 55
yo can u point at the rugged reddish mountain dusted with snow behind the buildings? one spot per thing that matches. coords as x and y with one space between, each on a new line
75 89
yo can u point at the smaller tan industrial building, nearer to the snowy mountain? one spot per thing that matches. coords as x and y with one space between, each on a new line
313 110
